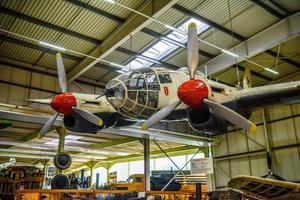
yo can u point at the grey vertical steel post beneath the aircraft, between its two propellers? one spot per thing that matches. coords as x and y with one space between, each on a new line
146 143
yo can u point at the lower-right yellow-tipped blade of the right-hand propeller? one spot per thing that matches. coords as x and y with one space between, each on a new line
231 116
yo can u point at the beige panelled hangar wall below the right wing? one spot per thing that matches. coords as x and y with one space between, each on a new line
241 153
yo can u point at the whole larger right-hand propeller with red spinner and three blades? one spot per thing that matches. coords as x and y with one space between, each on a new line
195 92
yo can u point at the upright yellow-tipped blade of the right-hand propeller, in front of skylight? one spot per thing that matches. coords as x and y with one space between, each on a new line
192 49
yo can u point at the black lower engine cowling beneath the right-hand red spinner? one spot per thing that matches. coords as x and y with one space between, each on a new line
204 120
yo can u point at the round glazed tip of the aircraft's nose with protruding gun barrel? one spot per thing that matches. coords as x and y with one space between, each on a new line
115 93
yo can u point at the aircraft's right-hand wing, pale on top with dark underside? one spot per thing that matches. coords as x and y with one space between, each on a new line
284 93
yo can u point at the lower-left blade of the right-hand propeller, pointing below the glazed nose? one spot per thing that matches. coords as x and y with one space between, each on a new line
160 115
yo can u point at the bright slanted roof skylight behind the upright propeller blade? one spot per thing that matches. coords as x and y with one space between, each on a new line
164 46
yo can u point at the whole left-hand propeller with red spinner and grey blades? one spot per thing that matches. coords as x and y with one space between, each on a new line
65 103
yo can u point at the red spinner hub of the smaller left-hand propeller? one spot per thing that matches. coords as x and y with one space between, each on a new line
63 103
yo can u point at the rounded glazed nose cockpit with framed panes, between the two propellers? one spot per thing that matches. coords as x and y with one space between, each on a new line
134 94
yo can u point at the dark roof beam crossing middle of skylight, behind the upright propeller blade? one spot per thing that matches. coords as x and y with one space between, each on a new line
179 44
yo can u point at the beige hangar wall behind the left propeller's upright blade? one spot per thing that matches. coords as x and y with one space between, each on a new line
17 85
